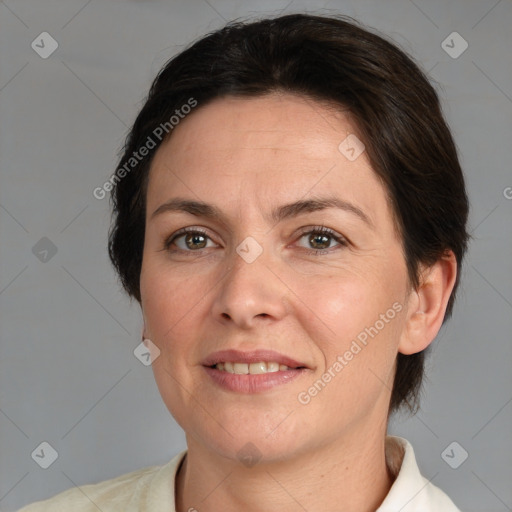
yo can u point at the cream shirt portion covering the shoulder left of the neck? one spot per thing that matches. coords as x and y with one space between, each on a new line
130 491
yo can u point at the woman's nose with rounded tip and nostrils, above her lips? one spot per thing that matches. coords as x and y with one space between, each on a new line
250 293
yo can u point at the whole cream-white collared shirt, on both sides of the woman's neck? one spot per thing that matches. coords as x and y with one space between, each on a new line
152 489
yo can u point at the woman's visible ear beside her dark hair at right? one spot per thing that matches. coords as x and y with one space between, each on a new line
426 305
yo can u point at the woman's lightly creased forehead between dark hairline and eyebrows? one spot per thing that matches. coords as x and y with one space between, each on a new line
266 150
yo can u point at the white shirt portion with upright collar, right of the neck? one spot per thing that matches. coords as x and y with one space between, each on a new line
411 492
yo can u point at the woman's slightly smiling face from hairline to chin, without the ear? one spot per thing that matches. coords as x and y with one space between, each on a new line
255 272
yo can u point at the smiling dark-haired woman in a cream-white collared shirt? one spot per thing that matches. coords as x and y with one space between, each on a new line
290 213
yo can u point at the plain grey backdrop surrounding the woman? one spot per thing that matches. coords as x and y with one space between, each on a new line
68 373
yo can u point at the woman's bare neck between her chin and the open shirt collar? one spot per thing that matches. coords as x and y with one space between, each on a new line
348 475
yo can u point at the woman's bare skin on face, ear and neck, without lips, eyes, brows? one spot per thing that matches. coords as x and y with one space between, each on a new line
247 157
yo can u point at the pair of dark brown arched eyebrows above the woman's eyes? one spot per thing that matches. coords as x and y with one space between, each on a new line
287 211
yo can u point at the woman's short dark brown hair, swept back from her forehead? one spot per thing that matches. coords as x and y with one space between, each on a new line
396 112
